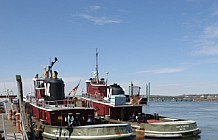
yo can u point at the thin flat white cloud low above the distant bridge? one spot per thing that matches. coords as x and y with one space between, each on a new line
163 70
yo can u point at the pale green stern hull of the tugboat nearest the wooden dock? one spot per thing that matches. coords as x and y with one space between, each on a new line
89 132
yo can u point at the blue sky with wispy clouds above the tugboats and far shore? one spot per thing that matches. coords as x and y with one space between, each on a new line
171 44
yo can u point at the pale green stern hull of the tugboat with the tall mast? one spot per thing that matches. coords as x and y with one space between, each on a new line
174 129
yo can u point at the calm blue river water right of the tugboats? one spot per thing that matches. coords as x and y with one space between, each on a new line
204 113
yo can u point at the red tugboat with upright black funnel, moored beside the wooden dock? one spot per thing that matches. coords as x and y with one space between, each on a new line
56 117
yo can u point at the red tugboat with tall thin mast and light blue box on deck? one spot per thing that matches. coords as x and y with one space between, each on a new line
110 103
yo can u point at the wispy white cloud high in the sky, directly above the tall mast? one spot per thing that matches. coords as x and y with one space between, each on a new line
101 20
